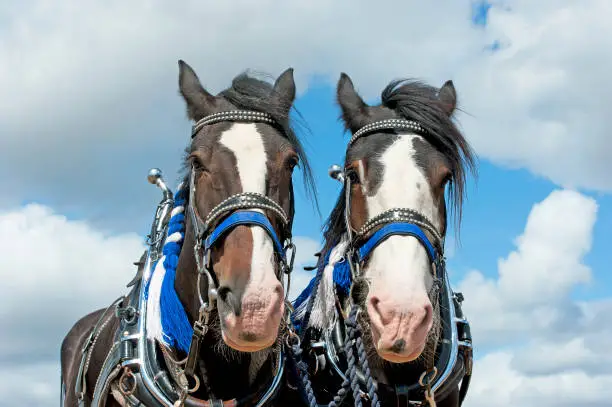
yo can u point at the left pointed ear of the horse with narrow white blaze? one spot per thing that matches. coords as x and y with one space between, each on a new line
200 103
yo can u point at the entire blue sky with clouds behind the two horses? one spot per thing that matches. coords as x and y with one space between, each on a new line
89 102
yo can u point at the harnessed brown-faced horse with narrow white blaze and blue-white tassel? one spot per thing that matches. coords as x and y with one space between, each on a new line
205 321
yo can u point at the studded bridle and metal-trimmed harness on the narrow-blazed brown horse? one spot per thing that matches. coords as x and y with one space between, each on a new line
143 379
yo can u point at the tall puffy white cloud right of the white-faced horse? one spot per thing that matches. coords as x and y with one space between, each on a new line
538 276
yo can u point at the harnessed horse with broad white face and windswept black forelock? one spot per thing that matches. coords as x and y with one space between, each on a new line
379 323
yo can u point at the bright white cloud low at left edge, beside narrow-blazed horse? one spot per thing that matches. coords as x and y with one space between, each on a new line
54 271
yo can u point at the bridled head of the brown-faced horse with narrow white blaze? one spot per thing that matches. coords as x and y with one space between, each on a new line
240 207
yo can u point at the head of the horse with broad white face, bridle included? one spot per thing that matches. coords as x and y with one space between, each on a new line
403 155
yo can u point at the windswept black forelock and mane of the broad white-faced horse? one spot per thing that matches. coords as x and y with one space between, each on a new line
415 100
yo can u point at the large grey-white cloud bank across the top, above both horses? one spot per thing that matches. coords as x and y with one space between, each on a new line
89 84
